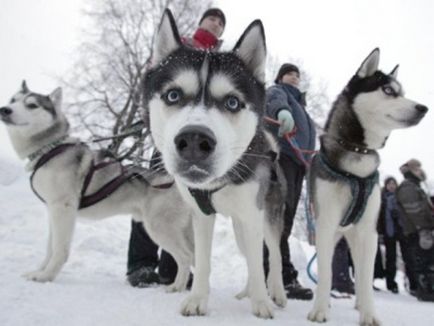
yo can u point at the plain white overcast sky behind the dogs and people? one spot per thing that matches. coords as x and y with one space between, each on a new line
331 37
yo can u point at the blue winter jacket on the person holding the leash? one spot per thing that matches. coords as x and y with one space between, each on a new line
287 97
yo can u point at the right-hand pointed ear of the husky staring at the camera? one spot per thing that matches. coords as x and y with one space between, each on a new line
252 50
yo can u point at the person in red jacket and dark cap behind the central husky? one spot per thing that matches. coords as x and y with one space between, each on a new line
142 251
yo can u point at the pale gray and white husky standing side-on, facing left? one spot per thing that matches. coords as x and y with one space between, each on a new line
61 168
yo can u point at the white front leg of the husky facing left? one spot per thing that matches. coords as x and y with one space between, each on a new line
62 222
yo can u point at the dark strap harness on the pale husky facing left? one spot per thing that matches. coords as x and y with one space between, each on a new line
102 193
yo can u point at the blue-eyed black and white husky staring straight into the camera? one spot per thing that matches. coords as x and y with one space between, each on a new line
205 111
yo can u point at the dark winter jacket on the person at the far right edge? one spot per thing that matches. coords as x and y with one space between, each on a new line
414 205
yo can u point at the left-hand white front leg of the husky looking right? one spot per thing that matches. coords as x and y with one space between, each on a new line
325 242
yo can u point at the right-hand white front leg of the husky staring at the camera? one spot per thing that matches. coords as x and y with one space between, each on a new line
252 227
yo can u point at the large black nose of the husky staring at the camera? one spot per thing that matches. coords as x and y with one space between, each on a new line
195 143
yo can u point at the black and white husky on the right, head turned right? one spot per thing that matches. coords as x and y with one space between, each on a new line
343 179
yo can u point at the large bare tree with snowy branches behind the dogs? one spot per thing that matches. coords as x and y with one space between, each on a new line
105 83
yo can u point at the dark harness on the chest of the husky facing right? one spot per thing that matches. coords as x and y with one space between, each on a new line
361 189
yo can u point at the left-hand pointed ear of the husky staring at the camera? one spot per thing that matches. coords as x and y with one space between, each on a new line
166 39
